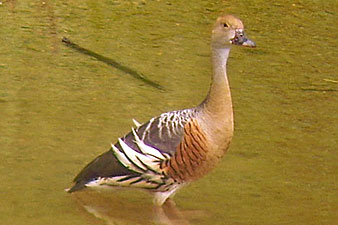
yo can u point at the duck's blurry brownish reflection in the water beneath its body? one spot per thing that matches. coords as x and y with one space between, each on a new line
118 209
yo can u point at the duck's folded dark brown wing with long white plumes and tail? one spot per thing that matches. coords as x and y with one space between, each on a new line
138 158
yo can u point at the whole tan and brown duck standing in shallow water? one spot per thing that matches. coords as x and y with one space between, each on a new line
178 147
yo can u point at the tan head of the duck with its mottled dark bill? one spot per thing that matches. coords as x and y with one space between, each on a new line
229 30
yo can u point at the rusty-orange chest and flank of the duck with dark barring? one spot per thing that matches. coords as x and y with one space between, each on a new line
196 155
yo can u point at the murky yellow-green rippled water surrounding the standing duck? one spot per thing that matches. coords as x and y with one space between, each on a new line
60 108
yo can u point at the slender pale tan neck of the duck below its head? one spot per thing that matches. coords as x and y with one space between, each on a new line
218 105
